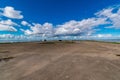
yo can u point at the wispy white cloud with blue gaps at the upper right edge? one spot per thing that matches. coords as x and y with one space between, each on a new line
112 15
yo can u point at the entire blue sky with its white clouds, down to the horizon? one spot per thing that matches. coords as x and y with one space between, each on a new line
53 19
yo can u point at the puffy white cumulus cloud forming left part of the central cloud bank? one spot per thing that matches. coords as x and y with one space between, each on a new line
38 29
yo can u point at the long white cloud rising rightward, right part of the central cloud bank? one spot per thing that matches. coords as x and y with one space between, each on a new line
84 27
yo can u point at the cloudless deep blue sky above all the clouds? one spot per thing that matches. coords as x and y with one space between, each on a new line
58 11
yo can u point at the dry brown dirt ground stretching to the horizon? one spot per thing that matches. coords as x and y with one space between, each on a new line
83 60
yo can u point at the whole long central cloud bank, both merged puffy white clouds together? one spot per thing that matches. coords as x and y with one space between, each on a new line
71 28
